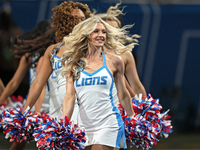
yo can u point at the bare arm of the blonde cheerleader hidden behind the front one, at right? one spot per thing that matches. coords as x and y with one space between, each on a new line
132 75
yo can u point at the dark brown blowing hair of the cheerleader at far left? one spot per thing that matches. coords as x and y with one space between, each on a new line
35 42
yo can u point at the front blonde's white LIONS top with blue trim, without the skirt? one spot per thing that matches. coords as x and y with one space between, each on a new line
95 98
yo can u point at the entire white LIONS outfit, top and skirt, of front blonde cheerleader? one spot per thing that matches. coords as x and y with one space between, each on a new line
100 117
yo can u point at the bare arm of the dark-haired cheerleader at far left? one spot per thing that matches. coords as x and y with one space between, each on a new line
14 83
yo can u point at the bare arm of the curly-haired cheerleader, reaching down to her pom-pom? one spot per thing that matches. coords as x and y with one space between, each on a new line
40 80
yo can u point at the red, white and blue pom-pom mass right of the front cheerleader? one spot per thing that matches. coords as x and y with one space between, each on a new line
148 124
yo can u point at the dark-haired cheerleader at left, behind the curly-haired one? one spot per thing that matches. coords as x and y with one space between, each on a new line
30 47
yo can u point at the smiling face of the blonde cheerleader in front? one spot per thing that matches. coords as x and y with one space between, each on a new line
98 36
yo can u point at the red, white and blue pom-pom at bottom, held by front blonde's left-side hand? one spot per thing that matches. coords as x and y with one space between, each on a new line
59 134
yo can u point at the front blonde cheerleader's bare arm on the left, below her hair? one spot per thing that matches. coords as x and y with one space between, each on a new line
69 99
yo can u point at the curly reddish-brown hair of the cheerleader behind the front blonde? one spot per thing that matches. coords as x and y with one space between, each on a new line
62 19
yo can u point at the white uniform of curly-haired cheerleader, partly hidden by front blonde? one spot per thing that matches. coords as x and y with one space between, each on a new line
61 85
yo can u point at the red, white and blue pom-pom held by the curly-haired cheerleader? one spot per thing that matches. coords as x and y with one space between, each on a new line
19 126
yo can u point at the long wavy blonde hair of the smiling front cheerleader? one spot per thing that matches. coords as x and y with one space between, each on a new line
77 43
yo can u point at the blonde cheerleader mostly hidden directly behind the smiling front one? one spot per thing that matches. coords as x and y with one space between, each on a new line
133 82
